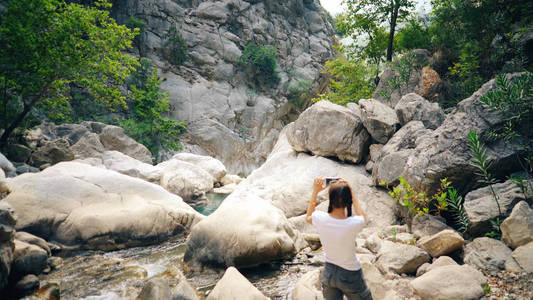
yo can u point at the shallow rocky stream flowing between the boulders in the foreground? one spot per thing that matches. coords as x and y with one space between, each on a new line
121 274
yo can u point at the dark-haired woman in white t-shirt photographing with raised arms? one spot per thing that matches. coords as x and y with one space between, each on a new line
337 228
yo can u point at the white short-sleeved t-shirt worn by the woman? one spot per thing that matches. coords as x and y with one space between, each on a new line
338 238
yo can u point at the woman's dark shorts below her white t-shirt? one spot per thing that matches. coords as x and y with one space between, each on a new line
337 281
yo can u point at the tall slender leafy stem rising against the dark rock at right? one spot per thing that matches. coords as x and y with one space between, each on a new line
482 164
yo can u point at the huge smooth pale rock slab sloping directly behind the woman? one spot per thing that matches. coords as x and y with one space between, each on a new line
286 180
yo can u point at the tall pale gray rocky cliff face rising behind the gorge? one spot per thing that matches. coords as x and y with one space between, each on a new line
227 115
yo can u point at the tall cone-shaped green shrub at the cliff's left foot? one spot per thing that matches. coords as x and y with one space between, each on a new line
146 123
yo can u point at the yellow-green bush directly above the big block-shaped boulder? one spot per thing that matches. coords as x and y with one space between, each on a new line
351 80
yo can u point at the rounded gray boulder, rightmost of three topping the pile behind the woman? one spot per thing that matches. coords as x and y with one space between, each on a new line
414 107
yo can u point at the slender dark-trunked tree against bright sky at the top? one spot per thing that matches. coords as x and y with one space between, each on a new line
368 16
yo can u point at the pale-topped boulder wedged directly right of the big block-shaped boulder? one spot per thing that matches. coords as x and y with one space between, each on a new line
379 119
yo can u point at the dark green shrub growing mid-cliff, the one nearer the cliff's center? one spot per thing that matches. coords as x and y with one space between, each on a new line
261 62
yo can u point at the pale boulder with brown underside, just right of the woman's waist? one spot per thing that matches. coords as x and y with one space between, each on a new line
400 258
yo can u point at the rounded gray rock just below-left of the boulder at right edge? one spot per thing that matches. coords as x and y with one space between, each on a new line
486 253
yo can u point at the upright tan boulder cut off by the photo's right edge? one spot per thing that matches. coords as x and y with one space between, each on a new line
517 229
